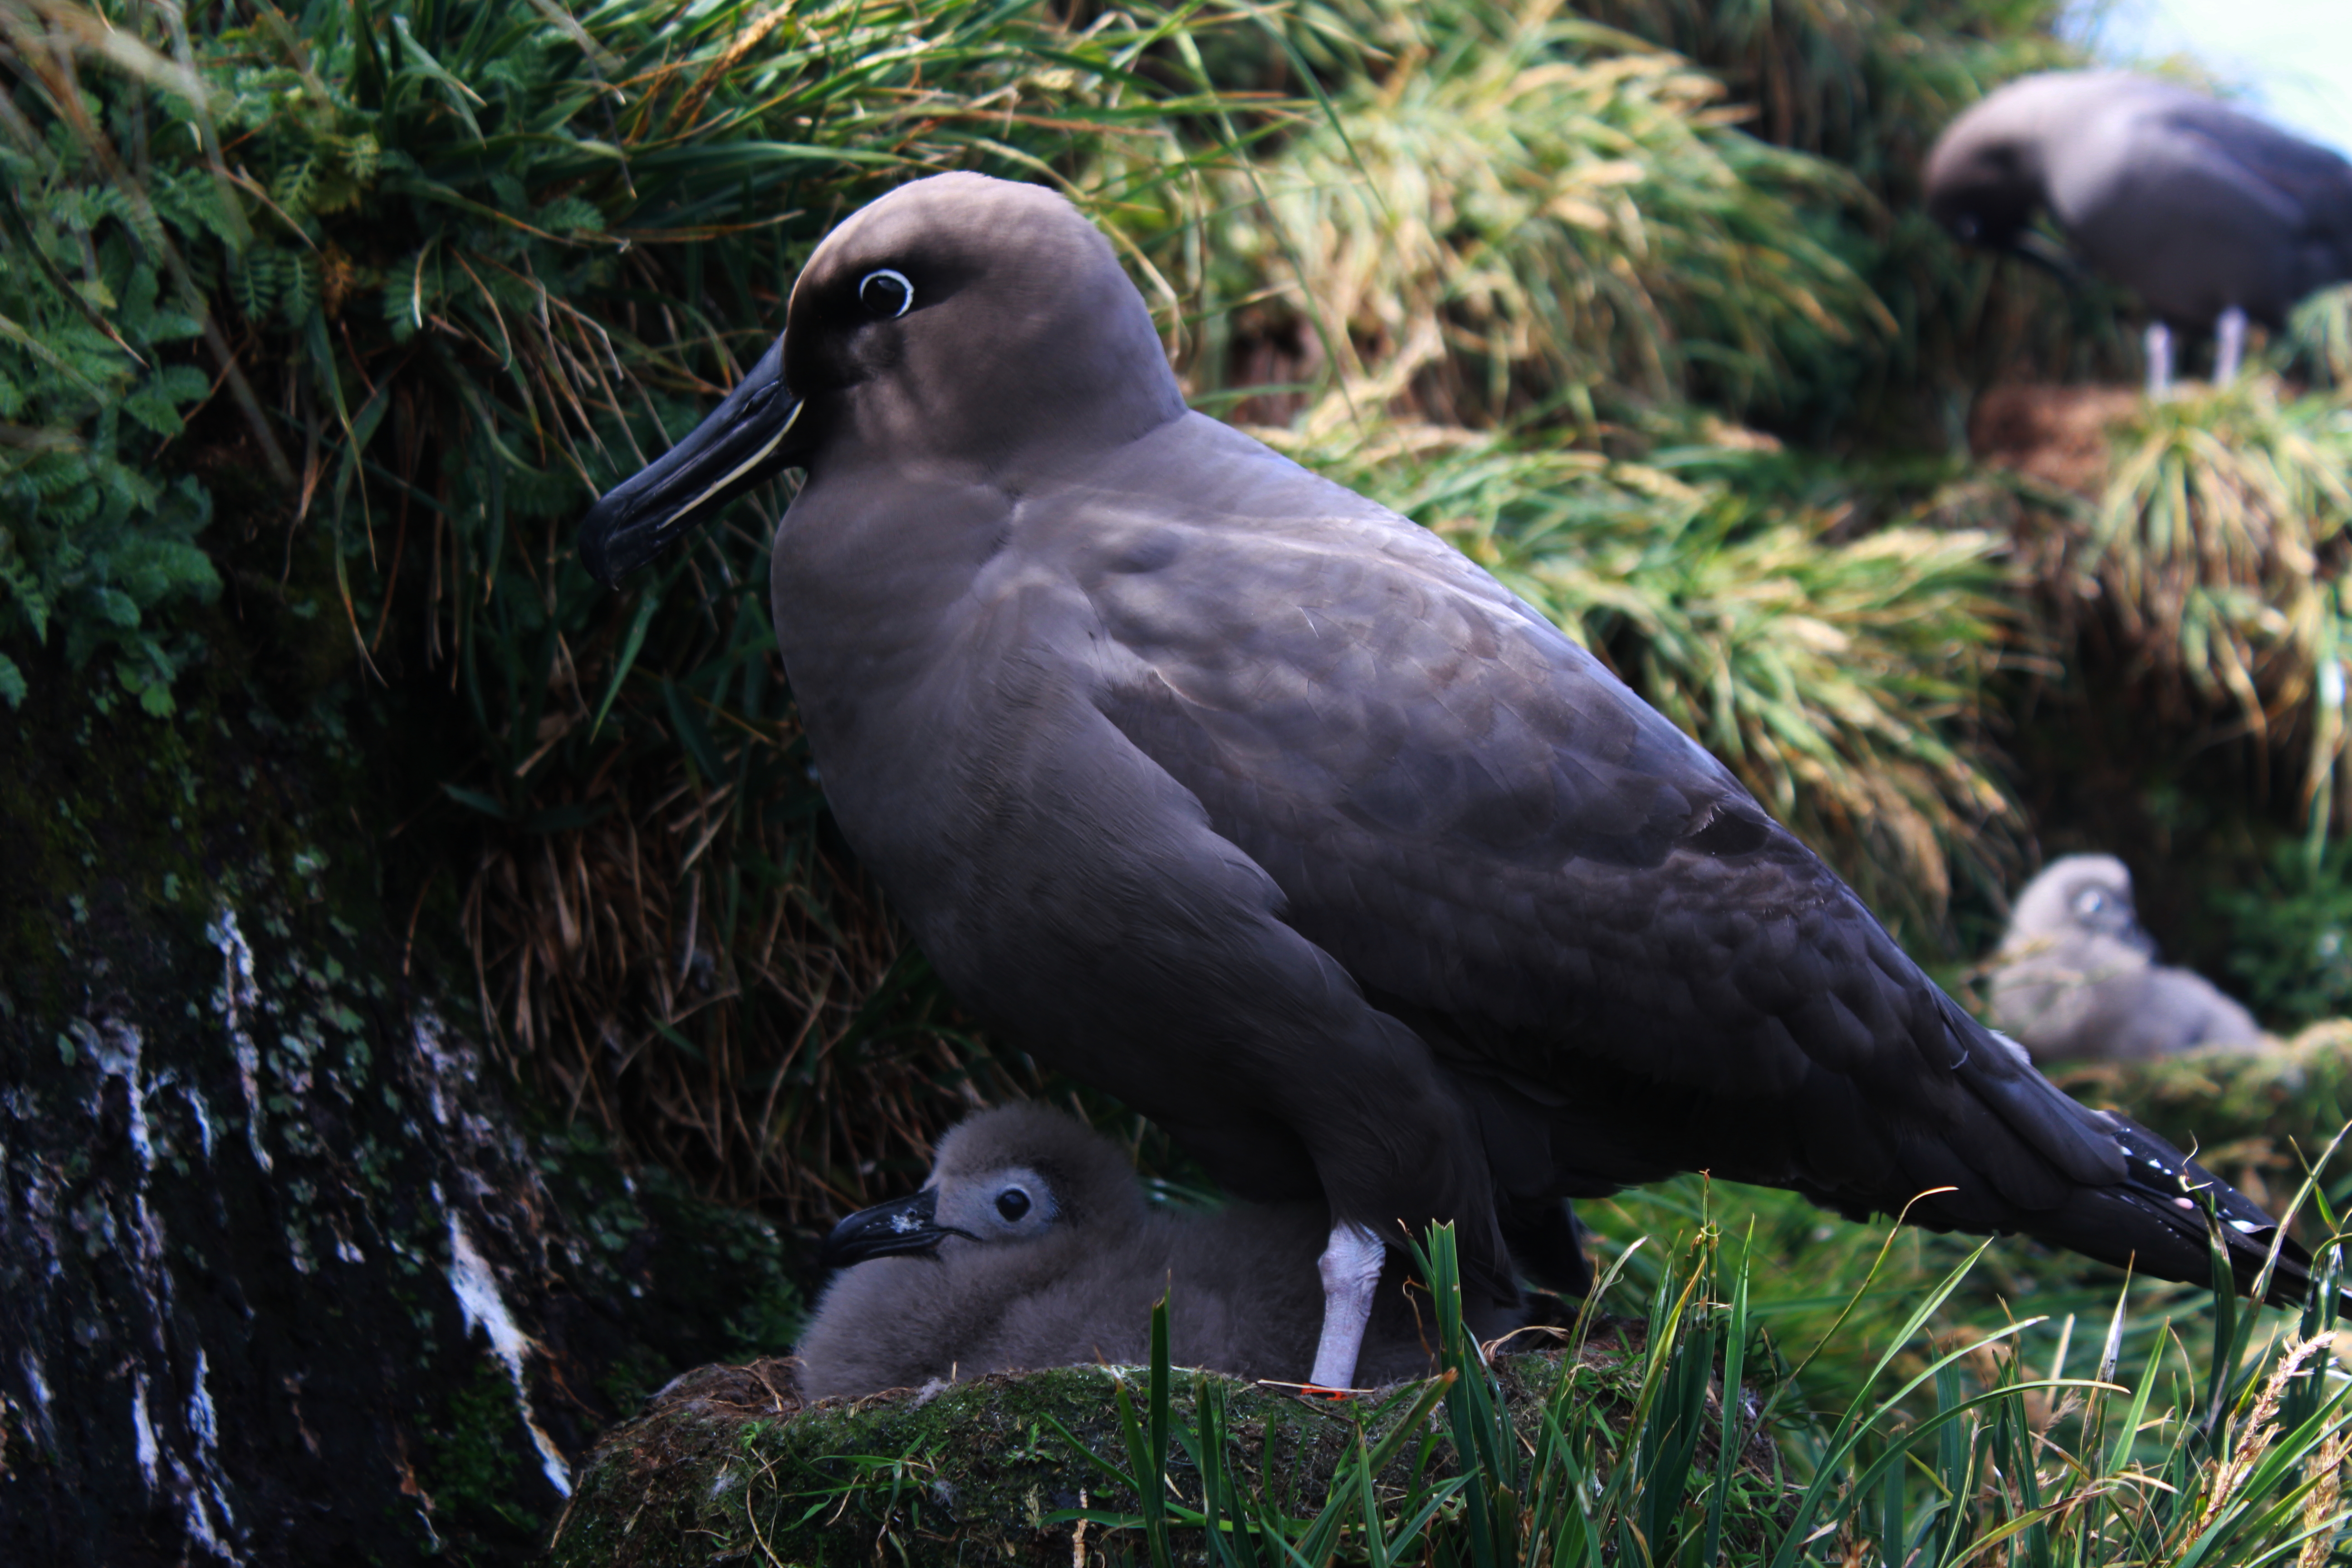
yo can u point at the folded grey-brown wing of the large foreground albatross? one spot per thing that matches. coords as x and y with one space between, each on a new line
1535 869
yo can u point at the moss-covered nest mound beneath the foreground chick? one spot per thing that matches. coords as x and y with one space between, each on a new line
730 1466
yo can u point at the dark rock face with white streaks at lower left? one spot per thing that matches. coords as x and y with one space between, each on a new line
286 1271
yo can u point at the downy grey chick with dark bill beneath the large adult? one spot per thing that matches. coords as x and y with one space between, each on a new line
1031 1247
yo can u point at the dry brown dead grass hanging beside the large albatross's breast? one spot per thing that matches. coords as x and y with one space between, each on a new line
780 1043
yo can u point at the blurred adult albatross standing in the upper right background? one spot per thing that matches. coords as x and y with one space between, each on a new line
2205 213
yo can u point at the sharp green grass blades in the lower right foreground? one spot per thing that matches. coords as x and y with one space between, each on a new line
1956 1449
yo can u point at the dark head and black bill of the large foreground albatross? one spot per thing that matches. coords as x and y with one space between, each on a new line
956 323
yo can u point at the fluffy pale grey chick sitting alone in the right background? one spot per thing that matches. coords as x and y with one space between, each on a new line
2076 977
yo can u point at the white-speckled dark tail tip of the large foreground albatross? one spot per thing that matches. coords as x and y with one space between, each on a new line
2156 1224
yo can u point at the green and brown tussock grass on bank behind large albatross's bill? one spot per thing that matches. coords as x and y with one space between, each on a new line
460 267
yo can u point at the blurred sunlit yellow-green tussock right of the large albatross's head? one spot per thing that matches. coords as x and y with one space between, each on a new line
1523 210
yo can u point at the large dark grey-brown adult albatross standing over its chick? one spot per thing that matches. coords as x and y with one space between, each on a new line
1264 810
